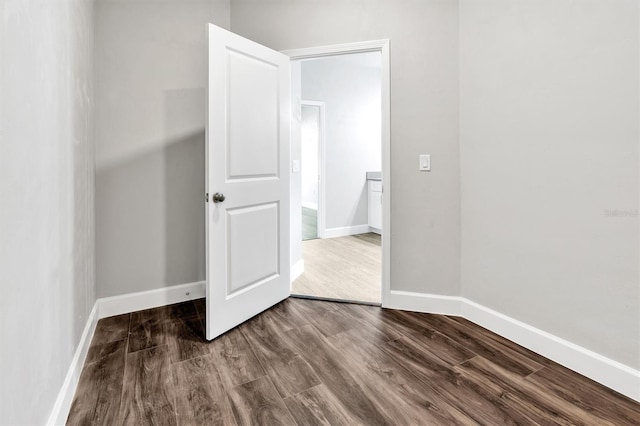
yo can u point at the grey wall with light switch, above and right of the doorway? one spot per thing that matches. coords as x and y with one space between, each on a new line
423 34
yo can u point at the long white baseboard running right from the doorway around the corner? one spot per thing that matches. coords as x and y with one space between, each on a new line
599 368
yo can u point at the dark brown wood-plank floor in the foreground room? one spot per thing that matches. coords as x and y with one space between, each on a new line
313 362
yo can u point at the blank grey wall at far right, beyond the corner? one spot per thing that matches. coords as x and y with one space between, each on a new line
549 159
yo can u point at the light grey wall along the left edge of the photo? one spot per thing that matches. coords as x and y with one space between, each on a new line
46 188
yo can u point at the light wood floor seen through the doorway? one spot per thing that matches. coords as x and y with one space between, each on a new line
347 268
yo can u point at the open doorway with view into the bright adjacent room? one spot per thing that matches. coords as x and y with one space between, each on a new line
340 176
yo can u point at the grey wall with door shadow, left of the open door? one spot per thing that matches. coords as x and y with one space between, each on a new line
150 111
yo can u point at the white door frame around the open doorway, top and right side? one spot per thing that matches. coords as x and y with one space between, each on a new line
381 46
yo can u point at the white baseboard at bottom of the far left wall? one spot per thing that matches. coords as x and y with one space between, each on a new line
62 406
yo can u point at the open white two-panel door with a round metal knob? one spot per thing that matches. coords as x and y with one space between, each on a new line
248 165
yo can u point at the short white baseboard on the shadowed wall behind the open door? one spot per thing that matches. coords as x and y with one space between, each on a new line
133 302
